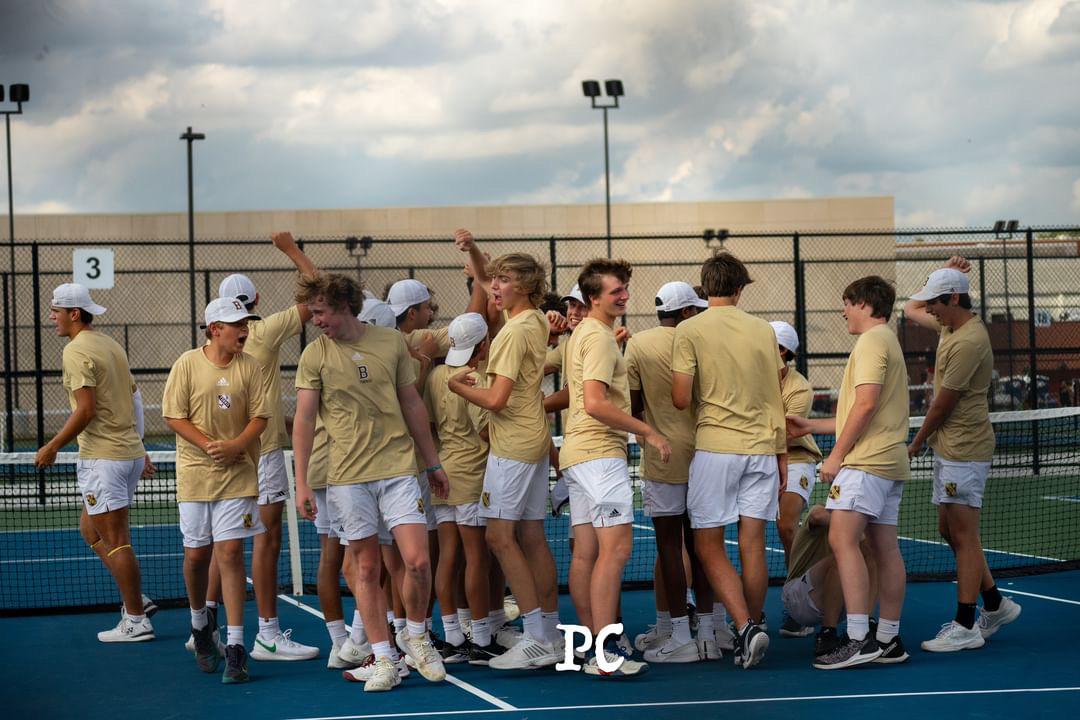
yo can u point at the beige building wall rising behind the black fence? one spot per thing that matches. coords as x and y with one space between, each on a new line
150 306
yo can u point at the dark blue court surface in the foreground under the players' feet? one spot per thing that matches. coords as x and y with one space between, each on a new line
1030 669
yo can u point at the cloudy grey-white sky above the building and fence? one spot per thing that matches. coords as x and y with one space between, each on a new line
965 112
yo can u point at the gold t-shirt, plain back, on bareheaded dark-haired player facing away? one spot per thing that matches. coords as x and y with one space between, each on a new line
736 368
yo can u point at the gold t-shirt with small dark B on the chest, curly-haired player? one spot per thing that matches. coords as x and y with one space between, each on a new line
358 384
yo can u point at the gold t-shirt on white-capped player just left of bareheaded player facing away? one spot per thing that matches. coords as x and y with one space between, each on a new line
650 372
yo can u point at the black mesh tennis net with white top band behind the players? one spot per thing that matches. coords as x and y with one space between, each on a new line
1031 523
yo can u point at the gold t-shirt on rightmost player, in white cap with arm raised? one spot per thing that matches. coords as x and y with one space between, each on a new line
965 365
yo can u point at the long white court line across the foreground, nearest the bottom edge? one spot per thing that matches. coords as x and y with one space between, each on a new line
742 701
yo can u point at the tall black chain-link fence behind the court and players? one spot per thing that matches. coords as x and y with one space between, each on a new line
1025 287
